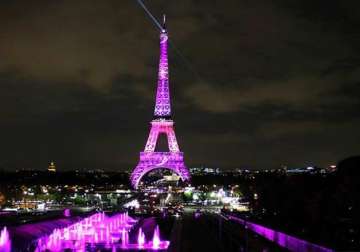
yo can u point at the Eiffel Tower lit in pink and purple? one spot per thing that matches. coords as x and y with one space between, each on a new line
162 124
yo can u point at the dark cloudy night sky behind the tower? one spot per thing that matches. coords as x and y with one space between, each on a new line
256 83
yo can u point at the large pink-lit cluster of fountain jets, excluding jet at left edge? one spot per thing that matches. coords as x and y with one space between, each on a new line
102 231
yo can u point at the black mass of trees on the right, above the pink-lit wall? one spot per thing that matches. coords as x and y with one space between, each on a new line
321 208
